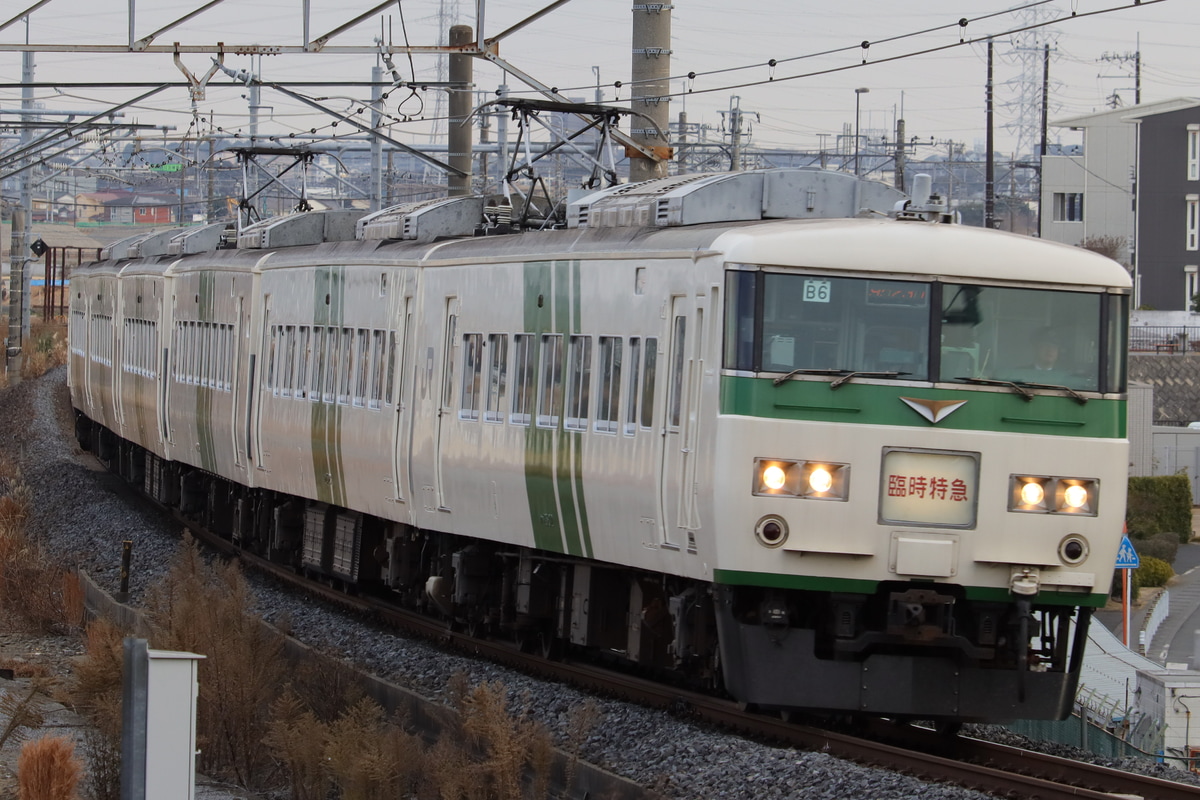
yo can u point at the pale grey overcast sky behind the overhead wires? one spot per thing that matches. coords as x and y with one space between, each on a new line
943 94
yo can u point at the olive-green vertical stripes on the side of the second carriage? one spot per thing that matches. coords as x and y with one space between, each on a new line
326 430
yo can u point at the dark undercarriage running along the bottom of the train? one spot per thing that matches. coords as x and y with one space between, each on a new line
909 651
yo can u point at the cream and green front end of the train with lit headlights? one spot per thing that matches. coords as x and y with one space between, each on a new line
919 504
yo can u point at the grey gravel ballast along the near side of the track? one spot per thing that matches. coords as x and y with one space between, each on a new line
81 518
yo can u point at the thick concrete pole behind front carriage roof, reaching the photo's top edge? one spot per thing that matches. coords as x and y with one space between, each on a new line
652 85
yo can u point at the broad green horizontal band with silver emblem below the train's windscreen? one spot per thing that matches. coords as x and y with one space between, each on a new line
857 404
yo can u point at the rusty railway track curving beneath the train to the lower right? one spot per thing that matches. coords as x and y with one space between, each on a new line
920 753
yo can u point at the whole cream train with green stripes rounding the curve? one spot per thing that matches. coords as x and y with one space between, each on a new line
784 434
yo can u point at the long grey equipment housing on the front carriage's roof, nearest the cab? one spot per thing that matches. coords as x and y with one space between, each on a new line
729 197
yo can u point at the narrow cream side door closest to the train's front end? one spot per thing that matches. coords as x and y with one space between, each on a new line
676 495
